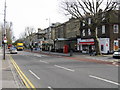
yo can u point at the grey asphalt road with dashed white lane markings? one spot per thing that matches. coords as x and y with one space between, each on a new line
45 71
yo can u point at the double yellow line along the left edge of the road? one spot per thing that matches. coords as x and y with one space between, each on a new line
25 80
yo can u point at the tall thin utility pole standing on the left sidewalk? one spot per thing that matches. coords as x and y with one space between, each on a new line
4 32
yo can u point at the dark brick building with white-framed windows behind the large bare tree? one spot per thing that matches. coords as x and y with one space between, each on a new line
108 33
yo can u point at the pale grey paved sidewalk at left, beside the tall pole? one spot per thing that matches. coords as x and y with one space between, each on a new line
9 77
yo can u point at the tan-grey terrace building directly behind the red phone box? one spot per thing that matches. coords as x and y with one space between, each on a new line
67 34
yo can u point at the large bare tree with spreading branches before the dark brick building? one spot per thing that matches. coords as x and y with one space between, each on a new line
96 9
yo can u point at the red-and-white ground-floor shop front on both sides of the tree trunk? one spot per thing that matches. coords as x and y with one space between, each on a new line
86 45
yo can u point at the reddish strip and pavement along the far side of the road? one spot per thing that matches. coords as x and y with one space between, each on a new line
107 58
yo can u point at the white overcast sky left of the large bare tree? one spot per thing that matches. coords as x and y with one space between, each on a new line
31 13
